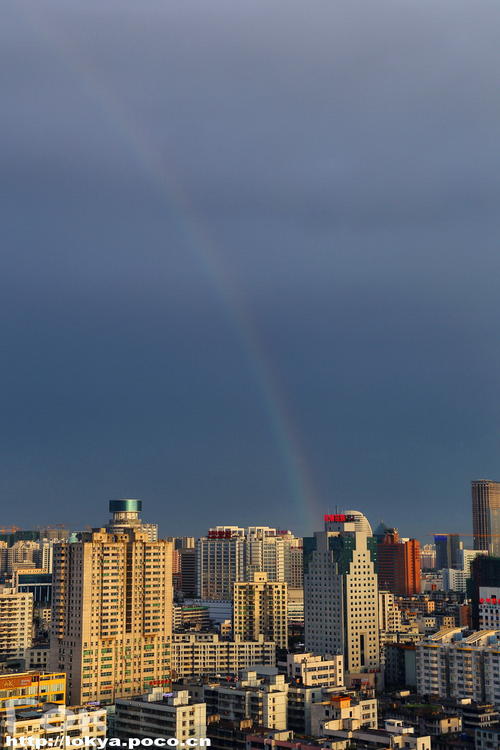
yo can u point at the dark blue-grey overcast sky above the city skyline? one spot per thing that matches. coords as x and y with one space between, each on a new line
250 260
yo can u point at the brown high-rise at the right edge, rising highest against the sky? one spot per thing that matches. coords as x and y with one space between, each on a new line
486 515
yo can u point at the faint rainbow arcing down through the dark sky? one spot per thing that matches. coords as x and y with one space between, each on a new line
303 495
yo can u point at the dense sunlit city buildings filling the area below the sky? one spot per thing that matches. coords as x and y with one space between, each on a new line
252 637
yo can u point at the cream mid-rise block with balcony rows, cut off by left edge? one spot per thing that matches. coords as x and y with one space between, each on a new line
16 623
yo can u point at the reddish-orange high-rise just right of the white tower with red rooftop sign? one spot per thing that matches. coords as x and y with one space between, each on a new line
398 564
